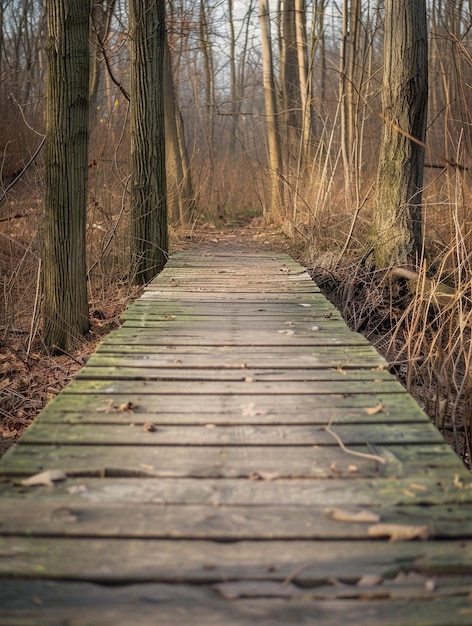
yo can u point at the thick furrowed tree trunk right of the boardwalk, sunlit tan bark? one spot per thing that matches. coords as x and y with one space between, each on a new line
398 227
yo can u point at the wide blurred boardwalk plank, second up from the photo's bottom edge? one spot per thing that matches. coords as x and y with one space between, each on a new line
305 562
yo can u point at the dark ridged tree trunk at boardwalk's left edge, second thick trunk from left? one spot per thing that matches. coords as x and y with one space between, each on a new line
147 121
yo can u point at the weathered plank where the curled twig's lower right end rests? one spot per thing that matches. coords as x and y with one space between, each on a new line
225 462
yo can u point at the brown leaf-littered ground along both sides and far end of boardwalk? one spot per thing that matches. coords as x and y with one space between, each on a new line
29 378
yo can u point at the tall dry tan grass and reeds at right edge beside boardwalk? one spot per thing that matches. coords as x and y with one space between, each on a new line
433 338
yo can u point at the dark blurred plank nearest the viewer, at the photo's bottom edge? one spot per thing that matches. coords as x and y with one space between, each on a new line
82 604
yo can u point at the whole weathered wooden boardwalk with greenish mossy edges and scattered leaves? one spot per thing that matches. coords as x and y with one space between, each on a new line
235 455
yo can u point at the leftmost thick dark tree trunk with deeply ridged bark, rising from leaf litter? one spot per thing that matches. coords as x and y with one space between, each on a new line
65 306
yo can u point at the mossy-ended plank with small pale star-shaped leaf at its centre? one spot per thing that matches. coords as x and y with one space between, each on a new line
124 407
